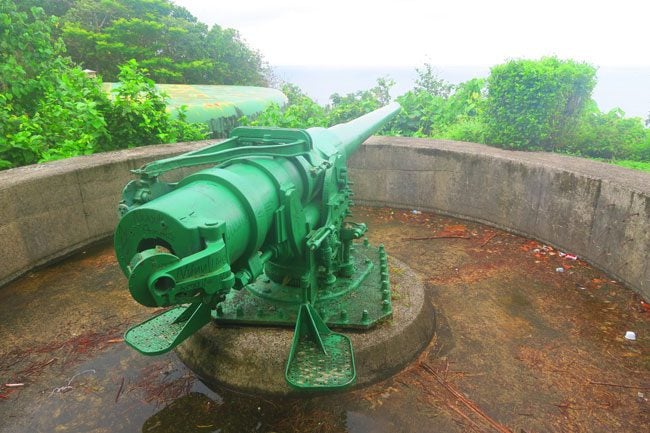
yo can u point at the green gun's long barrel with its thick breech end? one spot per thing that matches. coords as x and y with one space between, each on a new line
251 201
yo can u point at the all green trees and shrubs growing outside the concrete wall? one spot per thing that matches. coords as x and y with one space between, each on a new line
50 109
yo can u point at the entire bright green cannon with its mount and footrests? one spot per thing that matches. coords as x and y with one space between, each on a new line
262 237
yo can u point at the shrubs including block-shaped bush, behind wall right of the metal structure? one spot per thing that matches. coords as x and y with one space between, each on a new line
524 104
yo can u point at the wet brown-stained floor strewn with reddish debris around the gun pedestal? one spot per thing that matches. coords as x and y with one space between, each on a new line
528 340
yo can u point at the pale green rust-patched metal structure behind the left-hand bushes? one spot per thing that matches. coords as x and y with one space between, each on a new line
220 107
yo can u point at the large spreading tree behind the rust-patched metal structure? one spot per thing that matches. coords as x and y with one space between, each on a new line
164 38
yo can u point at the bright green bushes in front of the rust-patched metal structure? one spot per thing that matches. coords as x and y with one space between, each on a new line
50 109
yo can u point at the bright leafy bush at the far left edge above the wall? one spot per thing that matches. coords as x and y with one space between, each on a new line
48 108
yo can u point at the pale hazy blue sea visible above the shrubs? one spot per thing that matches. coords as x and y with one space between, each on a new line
627 88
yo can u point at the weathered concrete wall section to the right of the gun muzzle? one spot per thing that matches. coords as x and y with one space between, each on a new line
595 210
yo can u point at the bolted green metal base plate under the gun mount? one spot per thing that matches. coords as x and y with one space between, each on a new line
358 302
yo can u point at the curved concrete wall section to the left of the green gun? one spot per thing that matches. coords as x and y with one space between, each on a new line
50 210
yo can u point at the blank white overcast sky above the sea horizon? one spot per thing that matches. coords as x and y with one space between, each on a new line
408 33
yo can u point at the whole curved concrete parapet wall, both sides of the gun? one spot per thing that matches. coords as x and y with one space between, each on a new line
598 211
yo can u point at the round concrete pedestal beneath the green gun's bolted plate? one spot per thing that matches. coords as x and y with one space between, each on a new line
253 359
